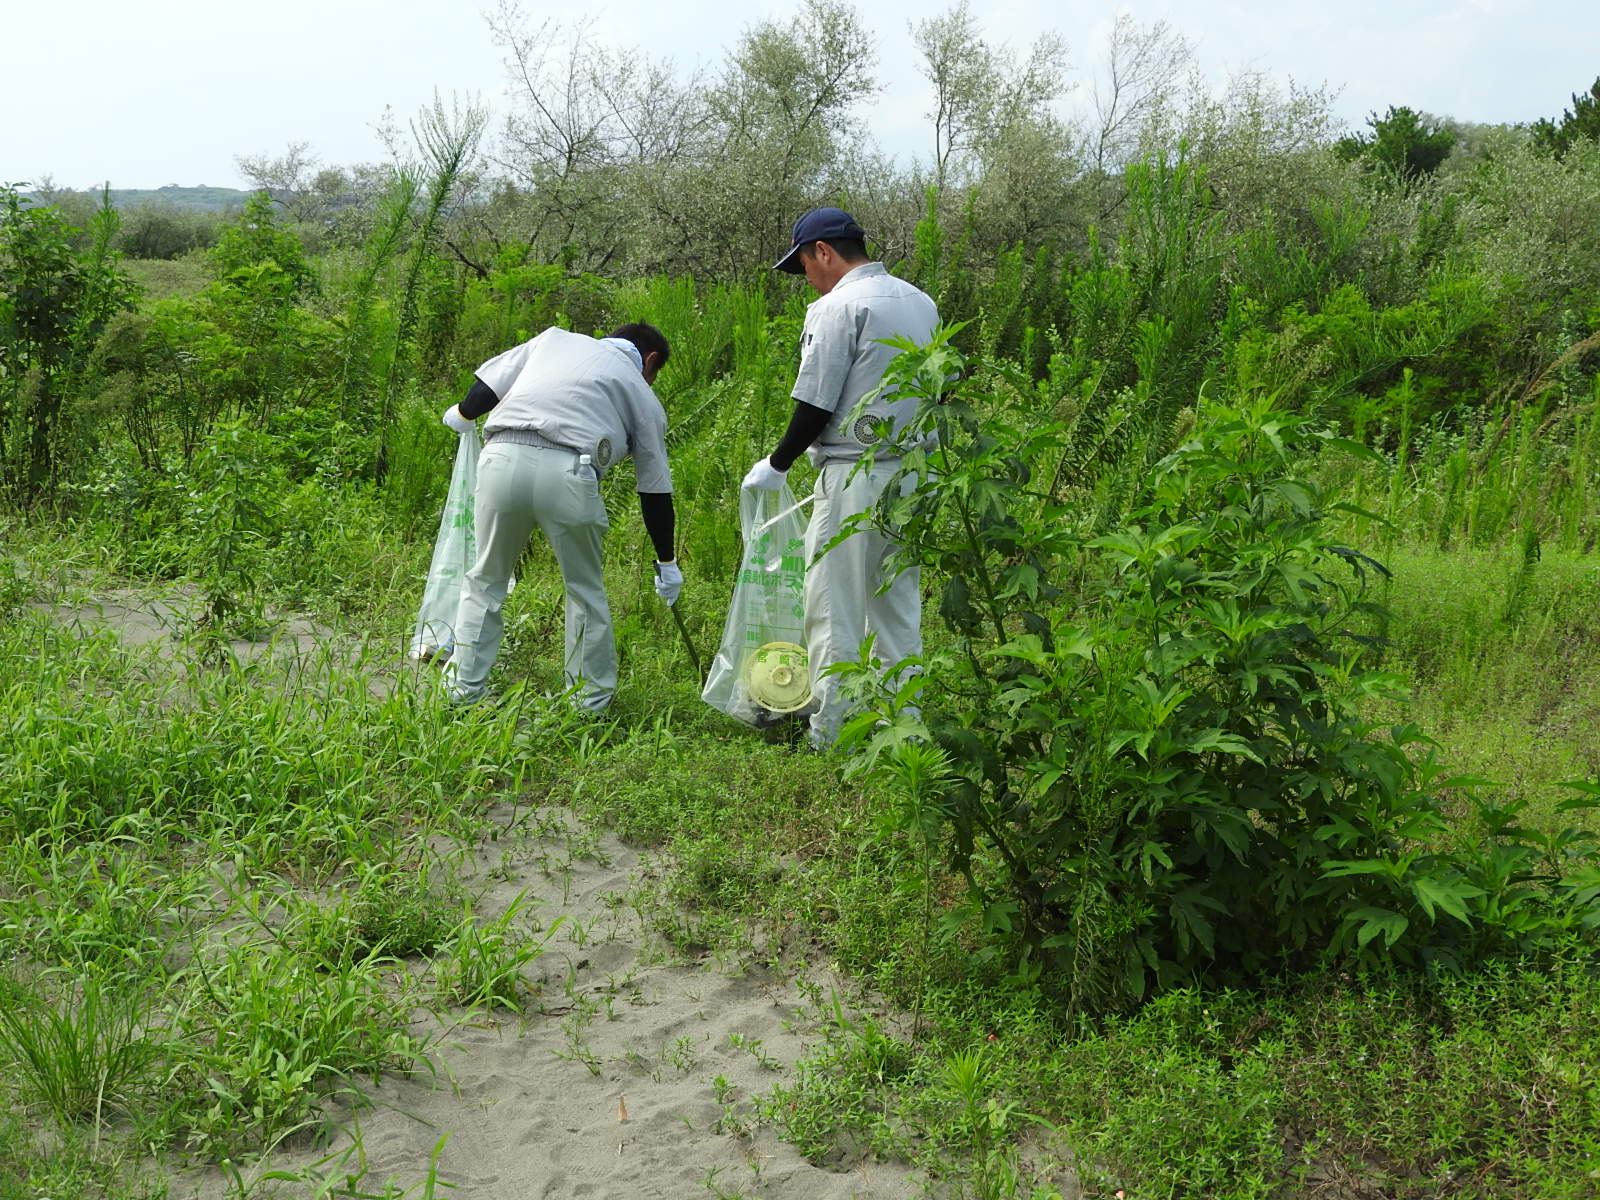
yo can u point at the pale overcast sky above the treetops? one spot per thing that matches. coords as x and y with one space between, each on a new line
158 92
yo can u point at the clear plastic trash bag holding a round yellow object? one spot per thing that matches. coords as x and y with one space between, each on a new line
761 673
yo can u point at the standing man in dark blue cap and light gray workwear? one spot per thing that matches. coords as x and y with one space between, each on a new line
842 359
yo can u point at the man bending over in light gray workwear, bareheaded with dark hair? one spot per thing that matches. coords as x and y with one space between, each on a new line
564 409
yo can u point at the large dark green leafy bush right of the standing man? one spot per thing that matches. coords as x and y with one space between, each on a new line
1161 766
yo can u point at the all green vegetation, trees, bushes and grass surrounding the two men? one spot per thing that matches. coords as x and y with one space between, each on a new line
1238 833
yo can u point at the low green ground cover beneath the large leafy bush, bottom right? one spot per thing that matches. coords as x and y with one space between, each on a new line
1329 1084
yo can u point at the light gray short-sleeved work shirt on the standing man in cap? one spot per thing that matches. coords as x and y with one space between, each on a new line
842 359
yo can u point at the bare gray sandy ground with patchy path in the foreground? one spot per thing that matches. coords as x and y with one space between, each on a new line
630 1073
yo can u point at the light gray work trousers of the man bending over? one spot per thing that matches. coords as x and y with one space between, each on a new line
521 487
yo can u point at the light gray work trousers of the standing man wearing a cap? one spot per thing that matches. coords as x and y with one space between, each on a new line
842 601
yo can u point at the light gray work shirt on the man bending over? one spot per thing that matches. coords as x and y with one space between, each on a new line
585 394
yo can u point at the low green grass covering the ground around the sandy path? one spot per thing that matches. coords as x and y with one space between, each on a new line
210 881
